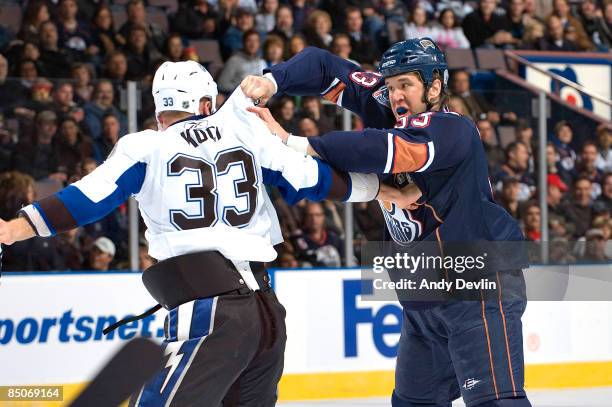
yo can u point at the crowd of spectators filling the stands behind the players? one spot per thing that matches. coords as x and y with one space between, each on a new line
62 105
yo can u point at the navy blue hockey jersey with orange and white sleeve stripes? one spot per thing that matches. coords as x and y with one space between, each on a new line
440 151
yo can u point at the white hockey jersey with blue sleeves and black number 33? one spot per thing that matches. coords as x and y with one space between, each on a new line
199 185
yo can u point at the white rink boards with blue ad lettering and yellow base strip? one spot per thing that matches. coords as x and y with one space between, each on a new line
338 345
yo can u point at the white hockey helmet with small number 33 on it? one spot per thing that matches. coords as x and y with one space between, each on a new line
179 86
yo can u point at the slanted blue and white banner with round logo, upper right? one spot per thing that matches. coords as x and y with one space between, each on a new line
591 70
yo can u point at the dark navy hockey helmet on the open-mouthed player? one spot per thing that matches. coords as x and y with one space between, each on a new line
420 55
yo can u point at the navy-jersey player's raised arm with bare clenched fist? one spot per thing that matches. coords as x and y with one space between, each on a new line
316 72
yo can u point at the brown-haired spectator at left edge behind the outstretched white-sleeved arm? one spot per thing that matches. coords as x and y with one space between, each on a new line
38 254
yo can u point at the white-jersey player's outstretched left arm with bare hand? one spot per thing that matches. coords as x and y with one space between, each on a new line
83 202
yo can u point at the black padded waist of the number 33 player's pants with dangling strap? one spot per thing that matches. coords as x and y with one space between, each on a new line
188 277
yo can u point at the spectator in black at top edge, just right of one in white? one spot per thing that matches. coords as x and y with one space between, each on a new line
483 27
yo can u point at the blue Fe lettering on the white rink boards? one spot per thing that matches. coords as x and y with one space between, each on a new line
385 322
